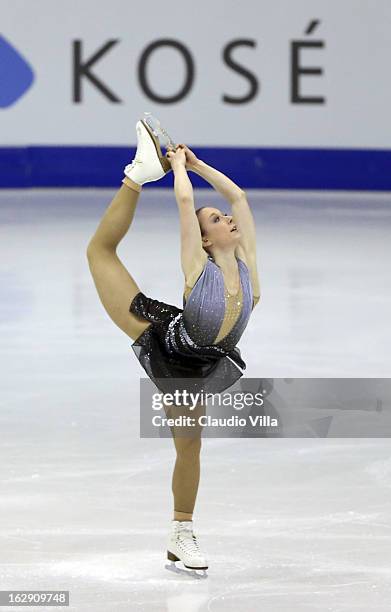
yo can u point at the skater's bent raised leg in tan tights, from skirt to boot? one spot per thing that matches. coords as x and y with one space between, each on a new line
115 286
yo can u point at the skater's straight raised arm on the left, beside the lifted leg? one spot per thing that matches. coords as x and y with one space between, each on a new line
193 256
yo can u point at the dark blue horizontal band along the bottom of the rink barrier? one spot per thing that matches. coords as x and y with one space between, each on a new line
251 168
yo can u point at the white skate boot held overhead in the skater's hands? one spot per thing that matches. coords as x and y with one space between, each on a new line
149 163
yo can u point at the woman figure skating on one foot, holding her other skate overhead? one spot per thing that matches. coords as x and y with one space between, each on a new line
218 256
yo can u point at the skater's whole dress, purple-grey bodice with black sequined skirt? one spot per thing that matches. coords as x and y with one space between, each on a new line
190 342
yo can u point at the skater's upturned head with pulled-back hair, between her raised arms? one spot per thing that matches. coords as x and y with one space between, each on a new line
217 228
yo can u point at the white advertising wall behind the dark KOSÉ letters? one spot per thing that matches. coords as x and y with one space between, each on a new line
355 60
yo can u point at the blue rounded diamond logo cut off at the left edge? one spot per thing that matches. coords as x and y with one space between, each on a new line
16 75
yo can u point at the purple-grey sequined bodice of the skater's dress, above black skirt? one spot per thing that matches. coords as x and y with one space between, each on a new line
204 310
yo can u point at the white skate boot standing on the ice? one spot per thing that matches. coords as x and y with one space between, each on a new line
183 546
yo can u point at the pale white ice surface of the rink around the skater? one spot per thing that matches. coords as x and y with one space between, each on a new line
288 524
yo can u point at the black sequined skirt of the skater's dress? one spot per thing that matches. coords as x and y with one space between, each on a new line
166 352
